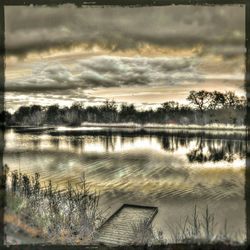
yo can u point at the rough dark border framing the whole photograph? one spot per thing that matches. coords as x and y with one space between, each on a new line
133 3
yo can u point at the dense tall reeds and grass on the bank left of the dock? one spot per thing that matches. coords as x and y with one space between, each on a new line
68 216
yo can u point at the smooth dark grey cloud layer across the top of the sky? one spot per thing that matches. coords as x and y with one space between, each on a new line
42 28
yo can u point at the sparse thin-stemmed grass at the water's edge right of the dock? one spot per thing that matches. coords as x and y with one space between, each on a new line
196 228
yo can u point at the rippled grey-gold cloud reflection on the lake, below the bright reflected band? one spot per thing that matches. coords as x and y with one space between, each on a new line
149 173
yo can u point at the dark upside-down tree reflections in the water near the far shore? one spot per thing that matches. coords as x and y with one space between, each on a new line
208 147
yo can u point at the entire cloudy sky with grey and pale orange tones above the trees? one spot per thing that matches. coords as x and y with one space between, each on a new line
144 56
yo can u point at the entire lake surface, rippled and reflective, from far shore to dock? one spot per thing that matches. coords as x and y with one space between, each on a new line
168 169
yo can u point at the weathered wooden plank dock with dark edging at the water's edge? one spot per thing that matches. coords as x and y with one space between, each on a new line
118 229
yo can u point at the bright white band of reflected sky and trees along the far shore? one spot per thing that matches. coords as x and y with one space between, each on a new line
199 147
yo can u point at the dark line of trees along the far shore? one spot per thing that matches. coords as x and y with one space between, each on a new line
204 108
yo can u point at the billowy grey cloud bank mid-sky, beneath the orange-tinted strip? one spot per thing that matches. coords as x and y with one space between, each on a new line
107 71
